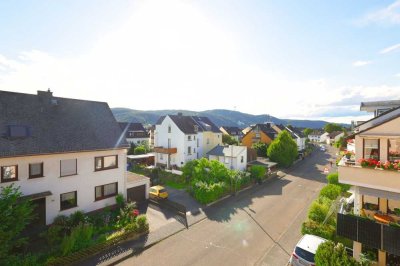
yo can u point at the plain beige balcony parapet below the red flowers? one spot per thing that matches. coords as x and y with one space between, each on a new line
368 177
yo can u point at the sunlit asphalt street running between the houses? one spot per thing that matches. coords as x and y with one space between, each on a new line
258 227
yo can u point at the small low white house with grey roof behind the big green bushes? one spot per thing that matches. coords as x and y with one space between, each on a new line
234 157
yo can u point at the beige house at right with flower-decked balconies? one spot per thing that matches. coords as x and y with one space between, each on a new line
377 191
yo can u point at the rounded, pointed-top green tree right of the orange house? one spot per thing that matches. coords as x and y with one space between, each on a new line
283 149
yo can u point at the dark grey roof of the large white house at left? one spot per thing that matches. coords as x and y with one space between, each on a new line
56 125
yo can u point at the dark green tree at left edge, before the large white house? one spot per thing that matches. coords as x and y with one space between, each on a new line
16 213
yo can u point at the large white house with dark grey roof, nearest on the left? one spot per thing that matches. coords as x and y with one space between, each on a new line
64 154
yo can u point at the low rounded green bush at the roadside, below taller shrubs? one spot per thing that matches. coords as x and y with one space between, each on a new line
206 193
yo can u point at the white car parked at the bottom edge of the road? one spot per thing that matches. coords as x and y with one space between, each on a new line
304 252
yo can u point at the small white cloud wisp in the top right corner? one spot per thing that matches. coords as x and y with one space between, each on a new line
386 15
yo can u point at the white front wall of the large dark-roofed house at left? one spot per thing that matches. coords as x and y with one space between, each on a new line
84 182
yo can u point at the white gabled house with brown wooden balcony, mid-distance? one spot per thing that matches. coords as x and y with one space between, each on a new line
179 139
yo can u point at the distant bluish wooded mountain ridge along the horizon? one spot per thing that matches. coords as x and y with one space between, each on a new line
220 117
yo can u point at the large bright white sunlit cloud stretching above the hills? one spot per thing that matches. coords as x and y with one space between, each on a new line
172 56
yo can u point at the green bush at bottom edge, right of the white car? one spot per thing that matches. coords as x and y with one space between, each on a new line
334 255
